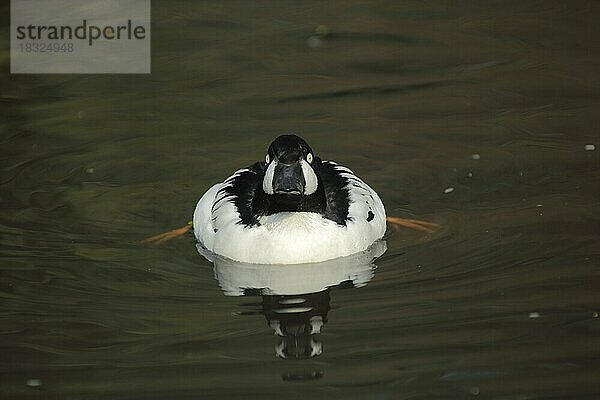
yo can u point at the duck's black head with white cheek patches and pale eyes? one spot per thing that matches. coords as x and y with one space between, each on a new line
289 168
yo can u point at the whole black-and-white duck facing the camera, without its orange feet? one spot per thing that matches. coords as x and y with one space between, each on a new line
292 208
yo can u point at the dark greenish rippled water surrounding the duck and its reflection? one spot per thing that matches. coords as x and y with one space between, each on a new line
500 303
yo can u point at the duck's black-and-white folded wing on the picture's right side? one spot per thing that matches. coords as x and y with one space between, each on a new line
349 199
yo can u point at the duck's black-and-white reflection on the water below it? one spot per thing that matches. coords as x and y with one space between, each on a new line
295 298
